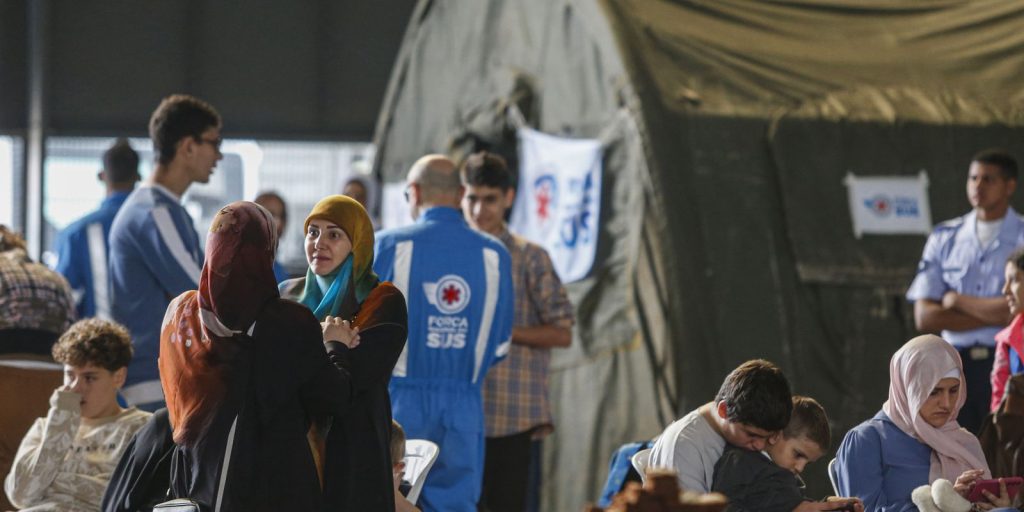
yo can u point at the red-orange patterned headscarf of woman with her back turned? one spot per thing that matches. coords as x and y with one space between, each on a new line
199 337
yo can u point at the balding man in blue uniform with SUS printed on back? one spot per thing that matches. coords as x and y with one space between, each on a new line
458 284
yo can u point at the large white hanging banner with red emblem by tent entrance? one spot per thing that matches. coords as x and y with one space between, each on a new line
559 203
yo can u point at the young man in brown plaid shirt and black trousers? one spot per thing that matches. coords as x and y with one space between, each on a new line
516 392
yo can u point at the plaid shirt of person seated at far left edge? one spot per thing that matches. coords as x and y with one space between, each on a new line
33 296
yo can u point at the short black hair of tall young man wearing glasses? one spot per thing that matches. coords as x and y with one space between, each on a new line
178 117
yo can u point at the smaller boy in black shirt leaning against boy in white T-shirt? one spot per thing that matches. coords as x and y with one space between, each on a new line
770 481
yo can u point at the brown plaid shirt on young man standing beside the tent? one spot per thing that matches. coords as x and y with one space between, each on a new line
516 391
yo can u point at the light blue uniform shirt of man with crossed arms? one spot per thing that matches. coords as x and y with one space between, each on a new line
954 260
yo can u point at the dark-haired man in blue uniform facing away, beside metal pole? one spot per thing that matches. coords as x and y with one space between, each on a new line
82 246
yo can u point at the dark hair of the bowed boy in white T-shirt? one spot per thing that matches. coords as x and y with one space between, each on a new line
757 394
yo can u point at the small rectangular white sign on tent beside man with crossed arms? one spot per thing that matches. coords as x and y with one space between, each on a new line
889 205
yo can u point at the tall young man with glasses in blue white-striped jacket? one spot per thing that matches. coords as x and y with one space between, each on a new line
155 251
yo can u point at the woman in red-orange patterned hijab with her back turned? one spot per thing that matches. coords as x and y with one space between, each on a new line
243 372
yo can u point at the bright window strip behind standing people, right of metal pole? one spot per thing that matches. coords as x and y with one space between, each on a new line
301 173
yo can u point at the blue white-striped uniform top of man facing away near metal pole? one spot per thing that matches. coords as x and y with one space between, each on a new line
82 253
